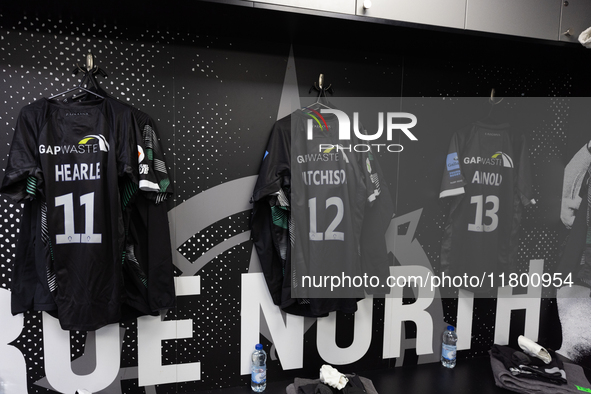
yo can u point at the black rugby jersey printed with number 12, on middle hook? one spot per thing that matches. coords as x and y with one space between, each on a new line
310 201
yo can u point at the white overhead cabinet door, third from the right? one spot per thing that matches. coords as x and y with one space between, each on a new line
447 13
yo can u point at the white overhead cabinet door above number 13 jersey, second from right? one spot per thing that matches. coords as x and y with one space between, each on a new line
525 18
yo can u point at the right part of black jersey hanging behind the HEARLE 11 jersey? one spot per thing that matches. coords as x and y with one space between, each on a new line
147 267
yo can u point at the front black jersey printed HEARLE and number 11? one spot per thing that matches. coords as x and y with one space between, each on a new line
80 161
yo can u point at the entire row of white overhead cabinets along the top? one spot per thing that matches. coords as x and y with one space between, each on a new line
543 19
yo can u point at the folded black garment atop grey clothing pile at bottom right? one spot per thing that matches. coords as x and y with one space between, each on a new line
520 364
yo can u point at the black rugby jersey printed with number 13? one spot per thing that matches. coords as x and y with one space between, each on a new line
488 176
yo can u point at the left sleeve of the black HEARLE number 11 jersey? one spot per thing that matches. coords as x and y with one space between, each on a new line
23 173
